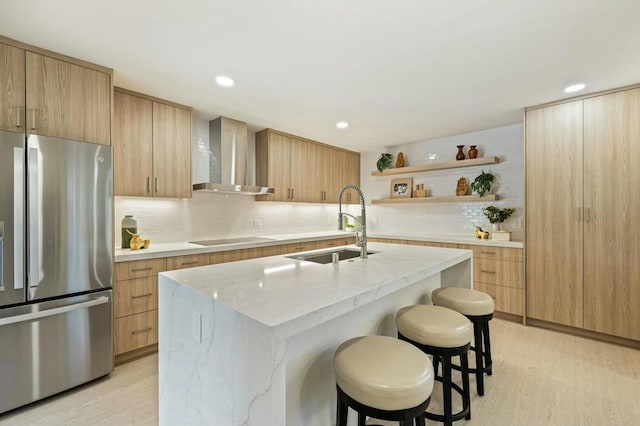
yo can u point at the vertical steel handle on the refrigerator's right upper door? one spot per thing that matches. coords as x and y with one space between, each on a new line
34 211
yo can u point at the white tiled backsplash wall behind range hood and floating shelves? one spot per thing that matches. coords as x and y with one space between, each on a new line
209 215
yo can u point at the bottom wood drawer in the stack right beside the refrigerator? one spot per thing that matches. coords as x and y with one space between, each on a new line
135 331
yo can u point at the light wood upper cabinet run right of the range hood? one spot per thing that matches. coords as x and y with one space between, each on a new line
300 170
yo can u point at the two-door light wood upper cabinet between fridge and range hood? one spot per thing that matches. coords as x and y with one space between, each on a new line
152 147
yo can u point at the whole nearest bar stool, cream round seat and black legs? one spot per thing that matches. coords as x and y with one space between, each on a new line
384 378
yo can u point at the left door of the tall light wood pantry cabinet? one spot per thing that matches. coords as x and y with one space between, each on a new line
553 198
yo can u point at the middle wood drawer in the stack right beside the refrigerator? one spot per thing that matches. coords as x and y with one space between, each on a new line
135 296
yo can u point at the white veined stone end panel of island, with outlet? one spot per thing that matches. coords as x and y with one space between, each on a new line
236 374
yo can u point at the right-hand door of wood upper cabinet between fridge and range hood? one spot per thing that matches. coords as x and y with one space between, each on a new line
171 151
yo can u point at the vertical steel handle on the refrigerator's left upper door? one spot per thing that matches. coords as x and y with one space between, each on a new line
18 218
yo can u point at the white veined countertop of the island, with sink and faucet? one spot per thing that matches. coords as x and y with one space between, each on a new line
293 295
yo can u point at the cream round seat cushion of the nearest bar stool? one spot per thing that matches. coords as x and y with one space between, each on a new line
383 372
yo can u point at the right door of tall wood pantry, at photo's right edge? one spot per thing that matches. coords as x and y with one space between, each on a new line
612 202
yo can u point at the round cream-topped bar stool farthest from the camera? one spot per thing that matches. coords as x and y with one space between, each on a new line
478 307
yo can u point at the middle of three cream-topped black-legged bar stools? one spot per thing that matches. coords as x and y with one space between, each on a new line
442 333
